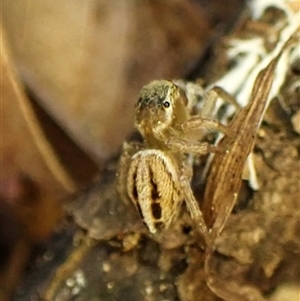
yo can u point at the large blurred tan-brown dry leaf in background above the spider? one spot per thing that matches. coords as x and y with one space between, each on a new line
86 61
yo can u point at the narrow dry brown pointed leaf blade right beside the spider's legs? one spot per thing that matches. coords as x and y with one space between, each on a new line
225 176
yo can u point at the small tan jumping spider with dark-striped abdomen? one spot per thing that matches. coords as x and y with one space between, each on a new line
156 174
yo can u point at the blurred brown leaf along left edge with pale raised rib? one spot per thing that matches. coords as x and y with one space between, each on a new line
32 180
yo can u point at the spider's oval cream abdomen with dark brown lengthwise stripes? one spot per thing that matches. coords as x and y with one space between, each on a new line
153 185
